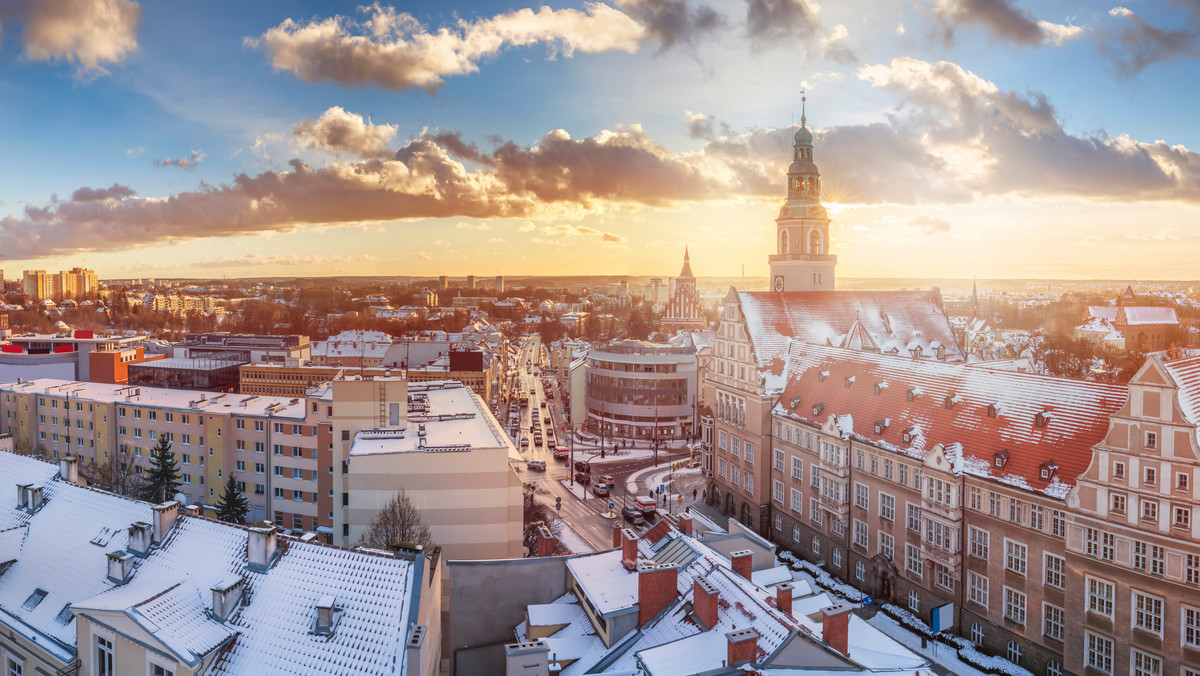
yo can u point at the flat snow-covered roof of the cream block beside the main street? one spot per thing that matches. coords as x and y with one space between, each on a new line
457 417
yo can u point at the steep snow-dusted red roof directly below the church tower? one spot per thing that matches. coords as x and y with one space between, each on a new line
896 321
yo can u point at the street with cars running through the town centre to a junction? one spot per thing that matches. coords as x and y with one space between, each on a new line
583 516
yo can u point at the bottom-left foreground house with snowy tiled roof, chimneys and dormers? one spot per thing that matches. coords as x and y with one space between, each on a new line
97 584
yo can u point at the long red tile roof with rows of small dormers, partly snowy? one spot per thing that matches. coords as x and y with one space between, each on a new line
1077 412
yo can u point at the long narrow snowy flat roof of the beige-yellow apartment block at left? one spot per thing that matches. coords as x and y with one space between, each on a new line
163 398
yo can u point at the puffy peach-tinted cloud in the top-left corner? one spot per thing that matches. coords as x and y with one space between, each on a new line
86 33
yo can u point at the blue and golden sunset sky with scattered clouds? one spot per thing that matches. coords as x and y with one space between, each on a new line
1000 139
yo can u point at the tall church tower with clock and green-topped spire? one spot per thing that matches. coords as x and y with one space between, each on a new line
803 261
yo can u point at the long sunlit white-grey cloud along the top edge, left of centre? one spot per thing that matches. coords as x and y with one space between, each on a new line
395 51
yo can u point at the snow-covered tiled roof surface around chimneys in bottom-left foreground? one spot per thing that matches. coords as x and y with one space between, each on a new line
170 597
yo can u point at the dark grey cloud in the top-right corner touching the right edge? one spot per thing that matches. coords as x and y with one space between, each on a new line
1135 45
